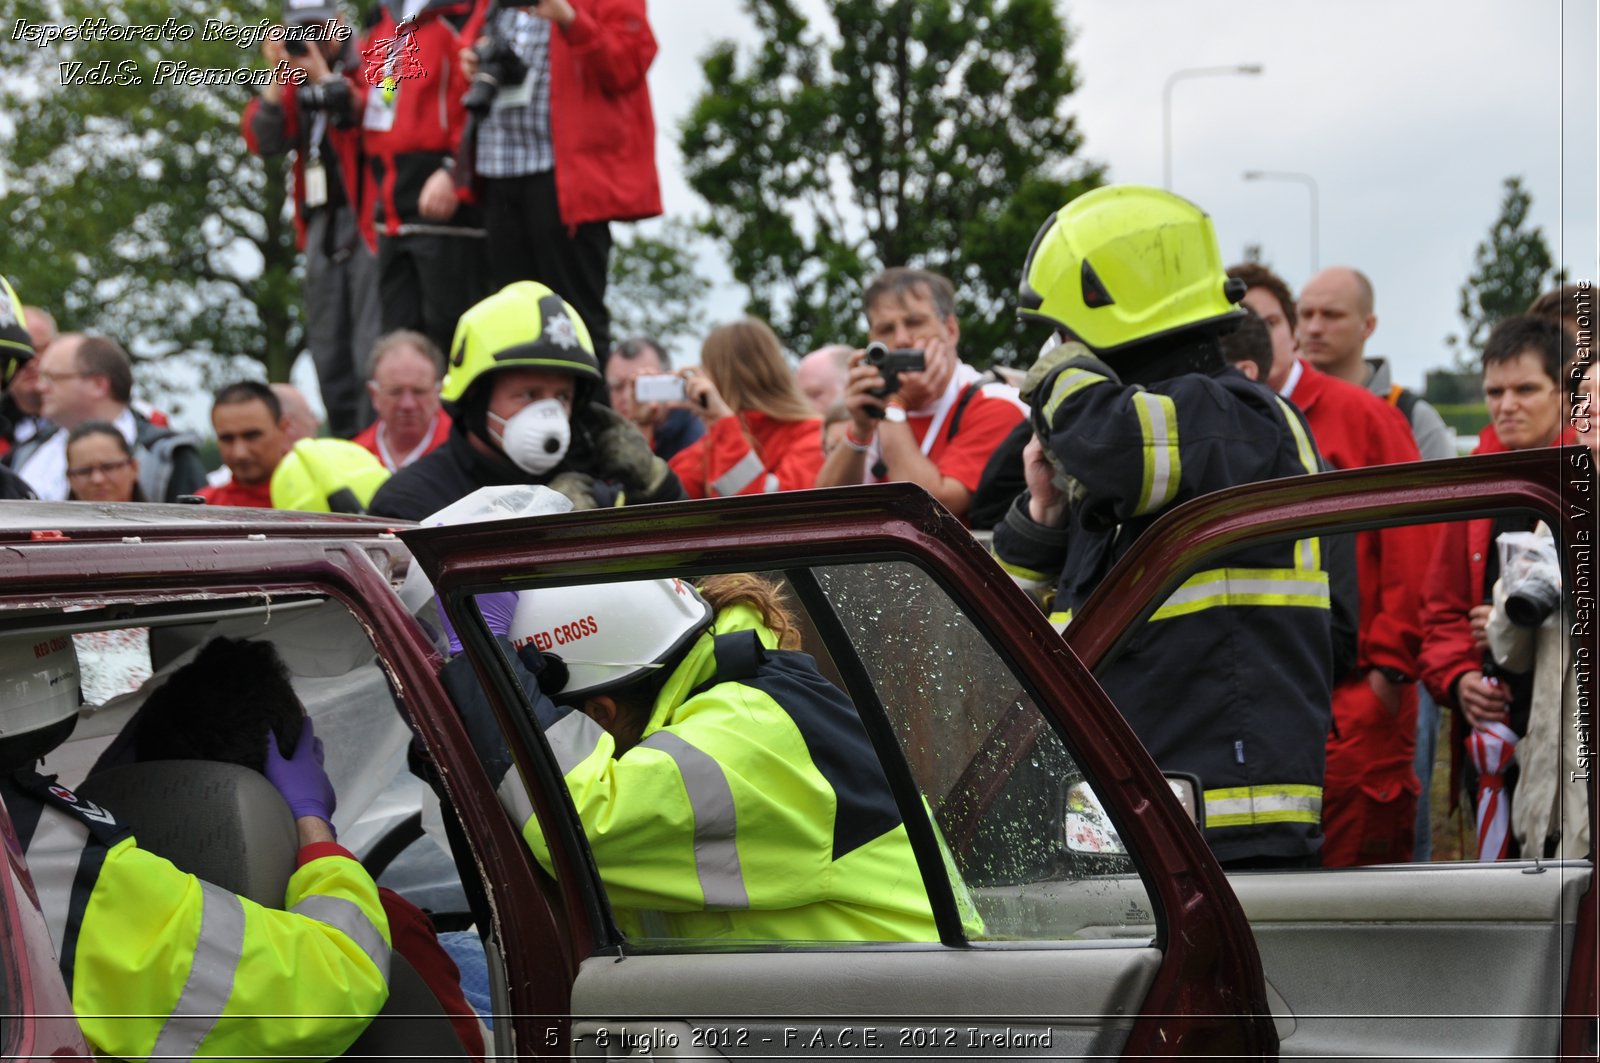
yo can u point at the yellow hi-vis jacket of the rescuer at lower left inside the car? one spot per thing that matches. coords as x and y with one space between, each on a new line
162 965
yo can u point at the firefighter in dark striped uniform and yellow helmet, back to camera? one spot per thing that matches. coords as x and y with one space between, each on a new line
1135 411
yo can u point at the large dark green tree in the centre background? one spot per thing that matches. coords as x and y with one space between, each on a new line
906 134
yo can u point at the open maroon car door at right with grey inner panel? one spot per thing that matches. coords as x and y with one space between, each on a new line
1446 958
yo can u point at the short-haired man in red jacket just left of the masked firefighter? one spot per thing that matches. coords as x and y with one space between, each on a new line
402 382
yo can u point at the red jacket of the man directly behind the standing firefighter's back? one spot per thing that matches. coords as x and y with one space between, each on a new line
1356 430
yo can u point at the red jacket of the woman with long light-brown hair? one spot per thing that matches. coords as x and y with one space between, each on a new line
751 454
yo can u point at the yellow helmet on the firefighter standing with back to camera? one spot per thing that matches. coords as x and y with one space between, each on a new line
1124 265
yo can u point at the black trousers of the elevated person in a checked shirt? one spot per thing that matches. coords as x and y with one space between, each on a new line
529 243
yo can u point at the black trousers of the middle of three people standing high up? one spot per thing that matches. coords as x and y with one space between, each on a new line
428 281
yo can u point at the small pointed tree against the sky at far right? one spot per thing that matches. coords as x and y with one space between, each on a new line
1510 271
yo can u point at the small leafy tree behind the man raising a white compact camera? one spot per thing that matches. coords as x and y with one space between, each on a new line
655 289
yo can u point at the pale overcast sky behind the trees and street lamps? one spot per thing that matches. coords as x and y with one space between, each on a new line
1409 114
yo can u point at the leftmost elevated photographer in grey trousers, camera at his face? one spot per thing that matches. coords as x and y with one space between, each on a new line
316 114
